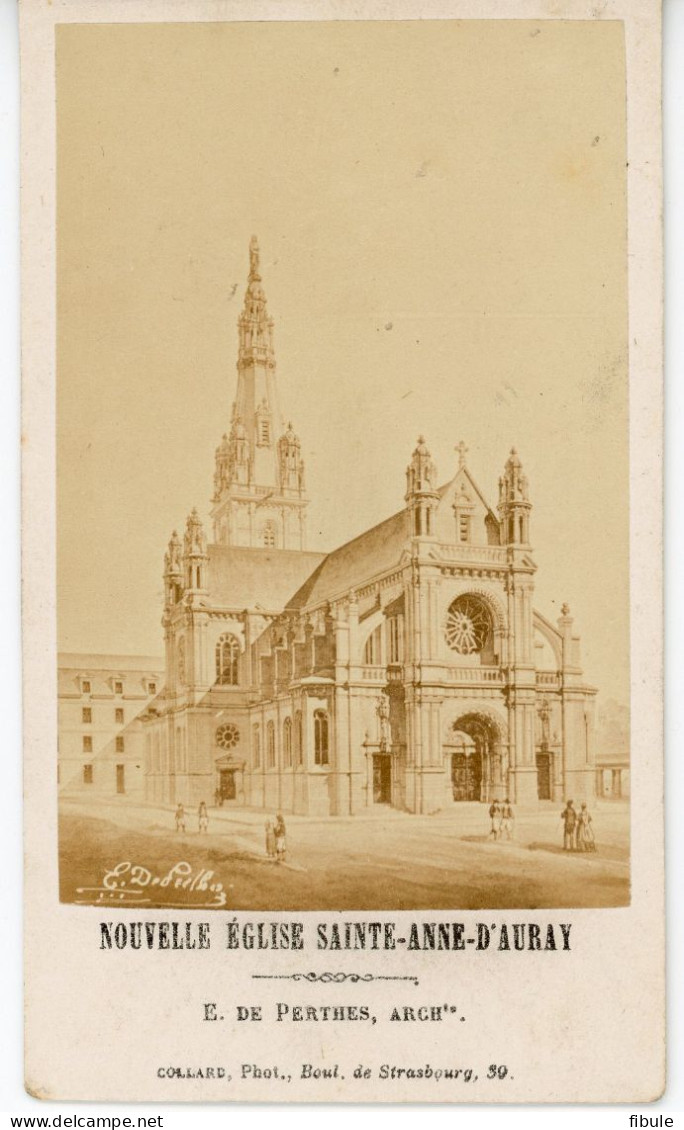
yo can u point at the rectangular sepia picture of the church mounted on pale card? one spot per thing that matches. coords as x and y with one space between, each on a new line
343 466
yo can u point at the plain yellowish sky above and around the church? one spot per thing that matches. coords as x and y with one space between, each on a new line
441 213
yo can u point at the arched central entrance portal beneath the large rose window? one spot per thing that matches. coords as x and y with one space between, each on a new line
474 747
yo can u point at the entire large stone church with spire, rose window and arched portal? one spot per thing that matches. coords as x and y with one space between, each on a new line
406 668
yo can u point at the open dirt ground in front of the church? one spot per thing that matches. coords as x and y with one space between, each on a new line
394 862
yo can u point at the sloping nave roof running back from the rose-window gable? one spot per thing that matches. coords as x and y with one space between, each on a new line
357 563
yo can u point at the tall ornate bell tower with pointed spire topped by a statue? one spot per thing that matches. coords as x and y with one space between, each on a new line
259 497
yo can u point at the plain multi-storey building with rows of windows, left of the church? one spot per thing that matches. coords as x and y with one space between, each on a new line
100 733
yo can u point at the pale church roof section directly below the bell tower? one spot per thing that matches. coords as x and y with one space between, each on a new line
246 578
